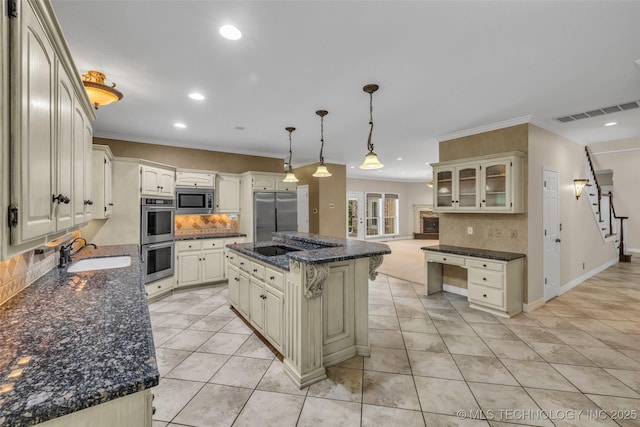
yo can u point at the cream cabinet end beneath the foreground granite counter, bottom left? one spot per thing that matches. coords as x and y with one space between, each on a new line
133 410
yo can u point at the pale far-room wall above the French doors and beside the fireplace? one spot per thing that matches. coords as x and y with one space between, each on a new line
410 193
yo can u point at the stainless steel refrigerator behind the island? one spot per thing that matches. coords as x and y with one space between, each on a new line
273 212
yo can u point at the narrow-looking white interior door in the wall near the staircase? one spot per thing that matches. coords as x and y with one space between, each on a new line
551 234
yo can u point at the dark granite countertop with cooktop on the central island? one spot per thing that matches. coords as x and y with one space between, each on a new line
315 249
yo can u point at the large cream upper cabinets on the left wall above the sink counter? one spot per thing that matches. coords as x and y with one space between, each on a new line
50 129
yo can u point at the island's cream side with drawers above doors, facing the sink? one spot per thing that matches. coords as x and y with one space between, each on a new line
256 290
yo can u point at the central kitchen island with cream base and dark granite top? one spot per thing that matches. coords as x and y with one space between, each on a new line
308 296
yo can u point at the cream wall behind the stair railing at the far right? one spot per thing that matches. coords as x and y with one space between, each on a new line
623 158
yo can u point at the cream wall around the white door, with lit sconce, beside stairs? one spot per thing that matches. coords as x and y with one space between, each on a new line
583 251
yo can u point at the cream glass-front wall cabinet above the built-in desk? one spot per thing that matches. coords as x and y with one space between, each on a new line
488 184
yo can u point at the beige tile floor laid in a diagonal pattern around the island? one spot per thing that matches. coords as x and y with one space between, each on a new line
575 362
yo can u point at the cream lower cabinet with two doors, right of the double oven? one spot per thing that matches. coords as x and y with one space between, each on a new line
199 261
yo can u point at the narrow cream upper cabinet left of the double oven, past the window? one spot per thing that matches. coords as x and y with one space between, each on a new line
102 181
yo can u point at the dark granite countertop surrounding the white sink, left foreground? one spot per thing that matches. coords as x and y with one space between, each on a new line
75 340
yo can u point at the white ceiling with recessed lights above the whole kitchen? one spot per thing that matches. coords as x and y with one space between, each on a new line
444 67
